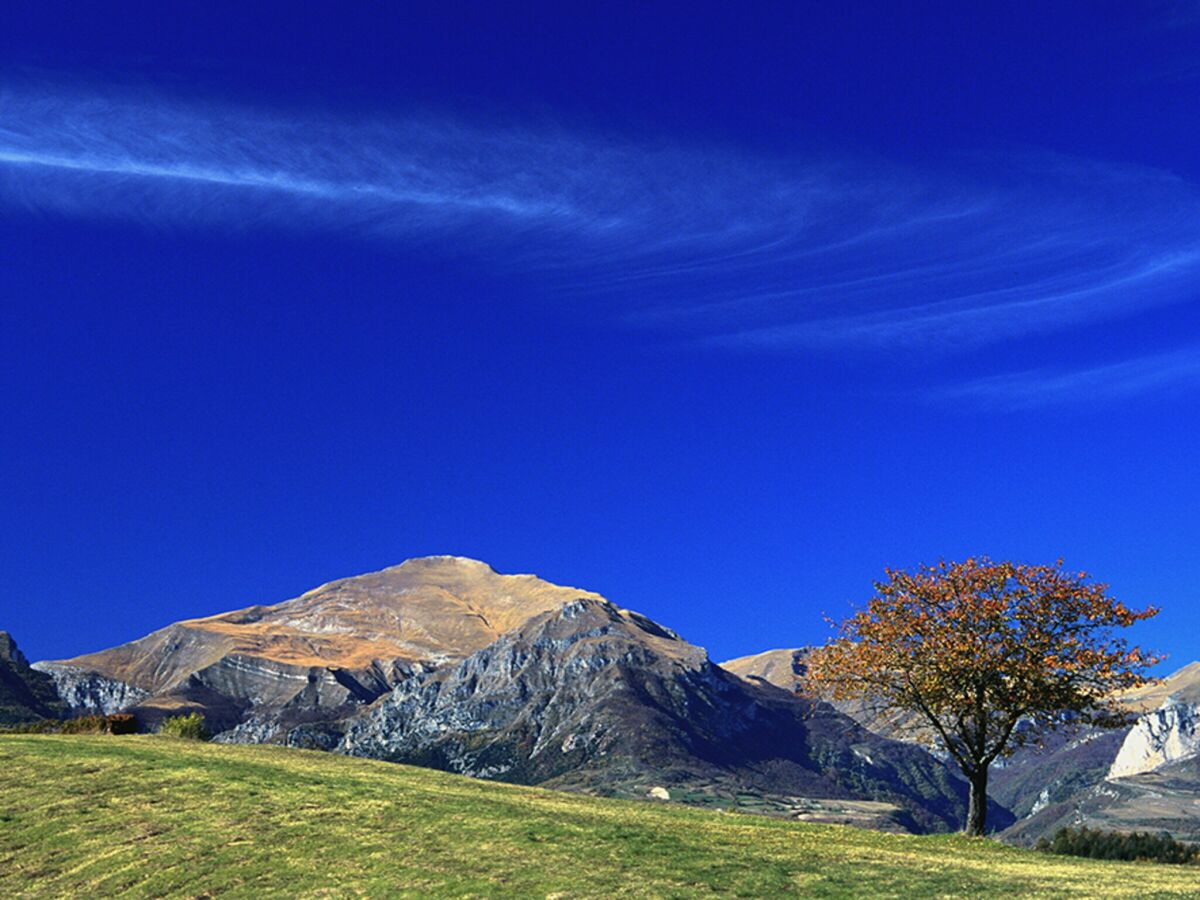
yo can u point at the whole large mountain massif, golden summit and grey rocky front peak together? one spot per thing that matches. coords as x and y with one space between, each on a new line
445 663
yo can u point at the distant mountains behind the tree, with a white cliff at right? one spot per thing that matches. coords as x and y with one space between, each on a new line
1142 778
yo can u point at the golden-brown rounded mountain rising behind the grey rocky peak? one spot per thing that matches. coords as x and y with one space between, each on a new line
317 657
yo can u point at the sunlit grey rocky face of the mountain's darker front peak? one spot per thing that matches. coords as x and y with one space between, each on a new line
531 706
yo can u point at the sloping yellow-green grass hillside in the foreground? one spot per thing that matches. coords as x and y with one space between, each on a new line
98 817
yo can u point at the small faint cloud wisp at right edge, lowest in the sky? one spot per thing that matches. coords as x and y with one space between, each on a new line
1033 389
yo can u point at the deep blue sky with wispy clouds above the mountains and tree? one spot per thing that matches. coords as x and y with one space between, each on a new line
718 311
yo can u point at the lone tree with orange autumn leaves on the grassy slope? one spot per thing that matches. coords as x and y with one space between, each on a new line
975 649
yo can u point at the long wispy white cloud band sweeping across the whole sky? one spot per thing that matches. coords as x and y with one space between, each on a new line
711 247
